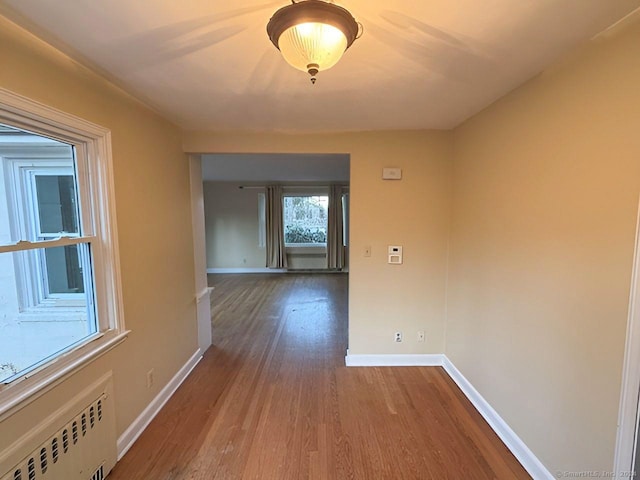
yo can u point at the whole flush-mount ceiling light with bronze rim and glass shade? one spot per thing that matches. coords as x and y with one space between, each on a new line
312 35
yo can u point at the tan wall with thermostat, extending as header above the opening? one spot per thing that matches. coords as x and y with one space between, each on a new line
413 212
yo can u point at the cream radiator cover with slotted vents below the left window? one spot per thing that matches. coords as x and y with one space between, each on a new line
78 442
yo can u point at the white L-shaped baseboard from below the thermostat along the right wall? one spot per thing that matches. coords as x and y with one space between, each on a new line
525 456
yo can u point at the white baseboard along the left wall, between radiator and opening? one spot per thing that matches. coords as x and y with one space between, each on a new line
131 434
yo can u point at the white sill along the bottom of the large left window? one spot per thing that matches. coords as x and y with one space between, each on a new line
22 392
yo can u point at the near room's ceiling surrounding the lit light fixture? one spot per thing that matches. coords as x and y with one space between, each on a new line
420 64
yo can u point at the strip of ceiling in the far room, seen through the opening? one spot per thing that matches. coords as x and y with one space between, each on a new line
279 168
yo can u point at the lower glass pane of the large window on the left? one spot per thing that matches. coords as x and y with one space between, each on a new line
31 334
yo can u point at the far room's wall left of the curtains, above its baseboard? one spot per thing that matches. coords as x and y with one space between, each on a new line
231 222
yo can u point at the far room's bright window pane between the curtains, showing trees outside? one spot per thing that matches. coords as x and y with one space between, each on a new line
305 219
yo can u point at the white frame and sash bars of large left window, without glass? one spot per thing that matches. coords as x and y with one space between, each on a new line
94 176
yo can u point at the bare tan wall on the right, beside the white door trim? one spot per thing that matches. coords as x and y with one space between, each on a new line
546 185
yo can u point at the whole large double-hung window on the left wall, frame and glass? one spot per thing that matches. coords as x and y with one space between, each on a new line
60 302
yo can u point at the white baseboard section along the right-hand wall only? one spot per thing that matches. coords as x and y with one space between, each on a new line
525 456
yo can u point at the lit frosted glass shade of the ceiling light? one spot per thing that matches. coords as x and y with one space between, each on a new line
312 43
